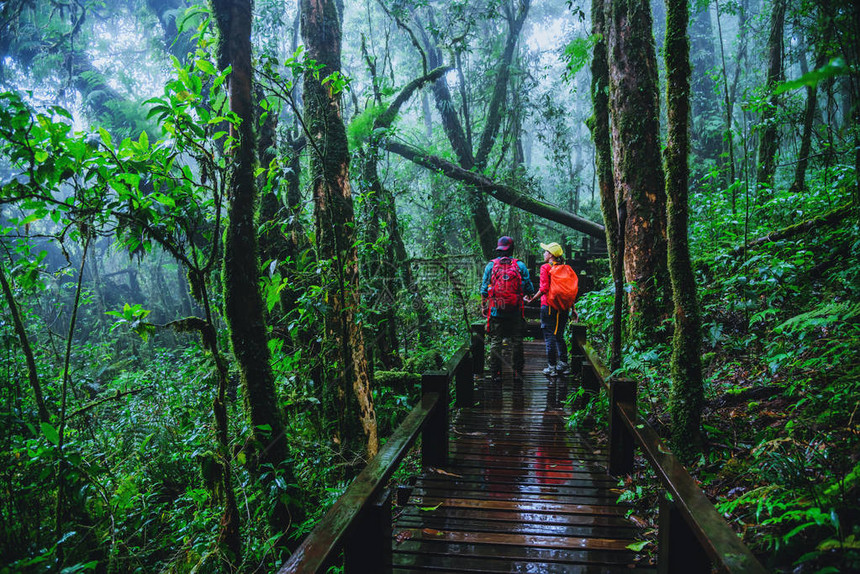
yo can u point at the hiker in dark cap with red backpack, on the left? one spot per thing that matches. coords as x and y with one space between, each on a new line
505 282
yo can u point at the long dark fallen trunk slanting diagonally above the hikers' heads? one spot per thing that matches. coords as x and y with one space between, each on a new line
504 193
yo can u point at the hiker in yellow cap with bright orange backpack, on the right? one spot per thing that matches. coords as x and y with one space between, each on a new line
559 286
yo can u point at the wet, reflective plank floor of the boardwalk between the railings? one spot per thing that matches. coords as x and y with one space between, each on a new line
521 493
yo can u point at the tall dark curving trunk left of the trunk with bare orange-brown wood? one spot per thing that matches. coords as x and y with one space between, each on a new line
243 302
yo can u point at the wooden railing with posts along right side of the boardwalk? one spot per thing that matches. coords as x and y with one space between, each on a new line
693 536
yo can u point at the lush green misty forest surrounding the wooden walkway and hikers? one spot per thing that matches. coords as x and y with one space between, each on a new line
235 233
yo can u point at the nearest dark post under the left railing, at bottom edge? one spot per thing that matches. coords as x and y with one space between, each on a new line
368 546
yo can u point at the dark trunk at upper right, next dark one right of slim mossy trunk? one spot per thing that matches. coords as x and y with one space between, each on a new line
769 138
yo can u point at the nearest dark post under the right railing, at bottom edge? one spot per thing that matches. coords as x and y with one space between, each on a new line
679 551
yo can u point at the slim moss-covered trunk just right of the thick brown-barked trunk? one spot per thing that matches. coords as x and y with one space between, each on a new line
687 395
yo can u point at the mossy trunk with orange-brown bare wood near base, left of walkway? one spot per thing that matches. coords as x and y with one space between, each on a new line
335 229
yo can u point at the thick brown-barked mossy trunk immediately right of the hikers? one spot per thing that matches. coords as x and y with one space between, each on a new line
638 170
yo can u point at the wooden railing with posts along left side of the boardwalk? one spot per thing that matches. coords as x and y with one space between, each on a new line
359 523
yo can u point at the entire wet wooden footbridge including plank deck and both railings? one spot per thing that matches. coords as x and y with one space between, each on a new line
506 487
